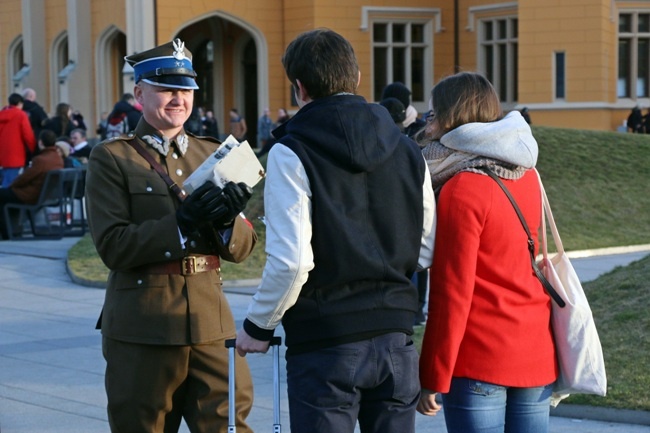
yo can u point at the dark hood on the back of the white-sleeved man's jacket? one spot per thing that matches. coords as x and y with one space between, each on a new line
358 135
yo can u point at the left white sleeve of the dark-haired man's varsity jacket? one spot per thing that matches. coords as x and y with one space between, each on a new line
287 209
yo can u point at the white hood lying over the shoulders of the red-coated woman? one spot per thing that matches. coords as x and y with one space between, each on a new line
509 139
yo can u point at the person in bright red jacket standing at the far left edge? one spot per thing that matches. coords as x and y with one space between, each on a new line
17 139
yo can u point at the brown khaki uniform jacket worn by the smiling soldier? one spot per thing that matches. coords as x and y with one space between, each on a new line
132 220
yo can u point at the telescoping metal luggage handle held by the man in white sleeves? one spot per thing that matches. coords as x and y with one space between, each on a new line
275 343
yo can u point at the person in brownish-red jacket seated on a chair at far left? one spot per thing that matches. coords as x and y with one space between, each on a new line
27 186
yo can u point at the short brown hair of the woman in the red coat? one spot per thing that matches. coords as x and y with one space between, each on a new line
462 98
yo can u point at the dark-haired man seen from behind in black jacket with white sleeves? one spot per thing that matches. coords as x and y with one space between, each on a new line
350 217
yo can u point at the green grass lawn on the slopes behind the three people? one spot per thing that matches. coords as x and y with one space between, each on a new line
596 183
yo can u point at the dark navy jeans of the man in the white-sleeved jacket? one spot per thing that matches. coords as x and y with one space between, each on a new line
375 381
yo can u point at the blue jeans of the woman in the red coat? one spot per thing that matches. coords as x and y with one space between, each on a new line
472 406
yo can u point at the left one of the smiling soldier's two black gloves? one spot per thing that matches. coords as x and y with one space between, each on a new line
205 204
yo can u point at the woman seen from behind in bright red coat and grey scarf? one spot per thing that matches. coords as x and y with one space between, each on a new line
487 346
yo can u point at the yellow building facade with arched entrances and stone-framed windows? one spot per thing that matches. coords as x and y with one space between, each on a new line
573 63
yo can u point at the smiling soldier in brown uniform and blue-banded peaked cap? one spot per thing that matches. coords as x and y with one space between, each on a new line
165 317
